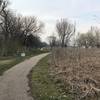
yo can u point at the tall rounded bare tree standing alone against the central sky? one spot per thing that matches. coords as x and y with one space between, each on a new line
65 31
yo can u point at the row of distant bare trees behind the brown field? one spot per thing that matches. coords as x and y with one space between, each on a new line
67 36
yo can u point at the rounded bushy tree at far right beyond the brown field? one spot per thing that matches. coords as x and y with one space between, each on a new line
90 39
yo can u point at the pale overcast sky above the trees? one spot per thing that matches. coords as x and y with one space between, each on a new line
84 12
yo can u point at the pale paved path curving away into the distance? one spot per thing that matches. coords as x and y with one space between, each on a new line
14 82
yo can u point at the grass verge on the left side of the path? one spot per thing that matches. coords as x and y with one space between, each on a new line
8 62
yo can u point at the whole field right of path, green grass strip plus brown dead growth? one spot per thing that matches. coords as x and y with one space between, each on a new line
67 74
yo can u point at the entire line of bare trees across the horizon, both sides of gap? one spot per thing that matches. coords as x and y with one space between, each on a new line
21 33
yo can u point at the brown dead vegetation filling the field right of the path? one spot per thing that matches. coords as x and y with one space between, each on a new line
79 70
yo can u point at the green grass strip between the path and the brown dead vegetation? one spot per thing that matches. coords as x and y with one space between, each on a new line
42 85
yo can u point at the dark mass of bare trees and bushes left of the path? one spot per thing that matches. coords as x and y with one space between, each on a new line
18 33
